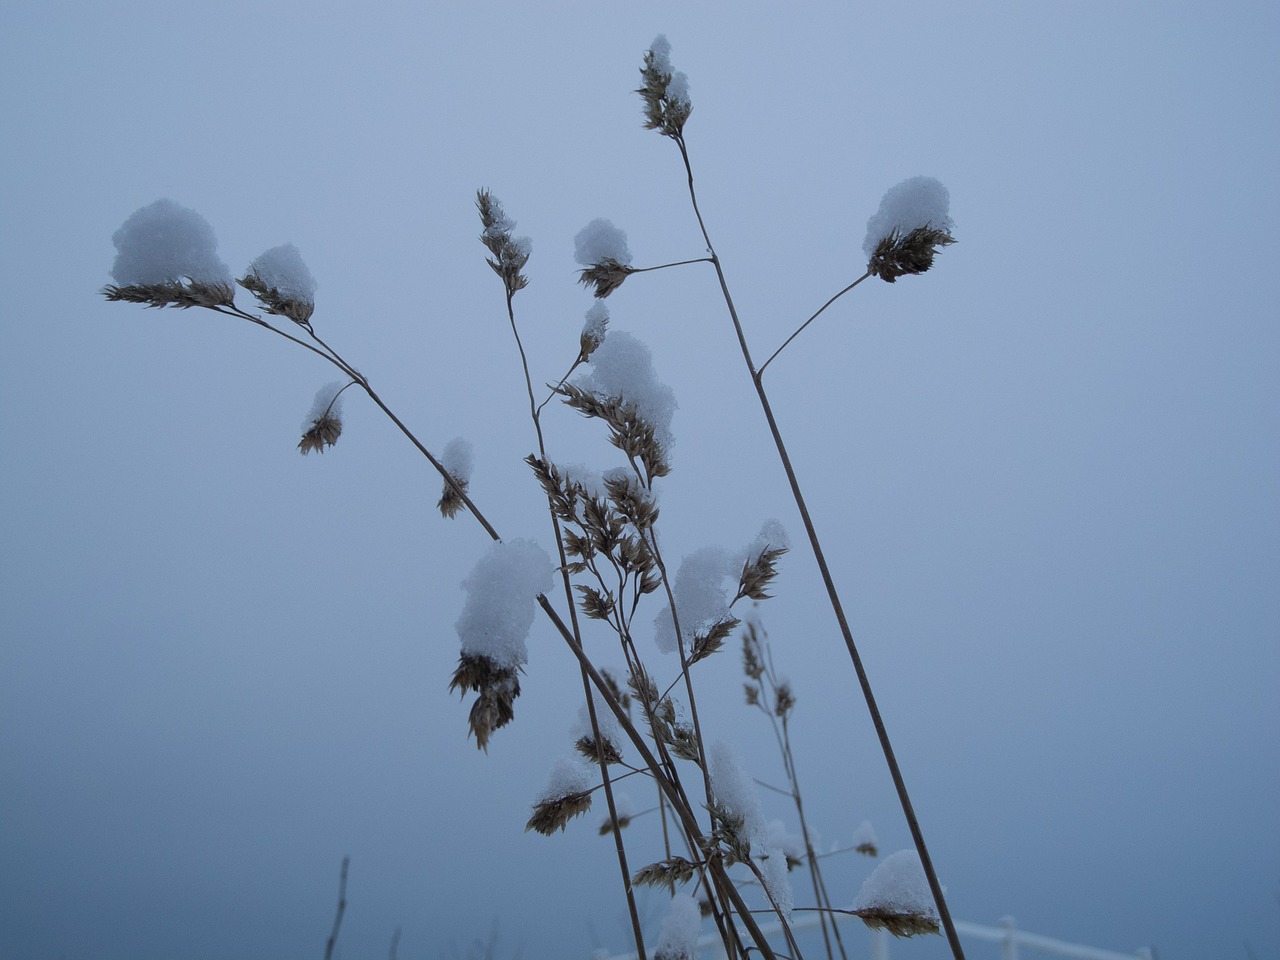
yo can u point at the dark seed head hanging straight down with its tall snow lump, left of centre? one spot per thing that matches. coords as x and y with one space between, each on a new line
496 619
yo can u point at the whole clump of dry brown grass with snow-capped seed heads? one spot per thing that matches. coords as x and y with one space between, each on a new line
605 573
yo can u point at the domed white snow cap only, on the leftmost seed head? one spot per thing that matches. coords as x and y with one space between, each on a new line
164 243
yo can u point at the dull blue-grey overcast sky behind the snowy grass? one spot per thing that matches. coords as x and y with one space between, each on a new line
1048 470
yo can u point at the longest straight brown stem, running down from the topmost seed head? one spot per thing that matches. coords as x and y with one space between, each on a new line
834 597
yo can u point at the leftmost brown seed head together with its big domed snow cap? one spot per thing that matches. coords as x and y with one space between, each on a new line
167 255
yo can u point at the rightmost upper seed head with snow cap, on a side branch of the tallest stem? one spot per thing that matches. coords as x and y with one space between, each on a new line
913 222
